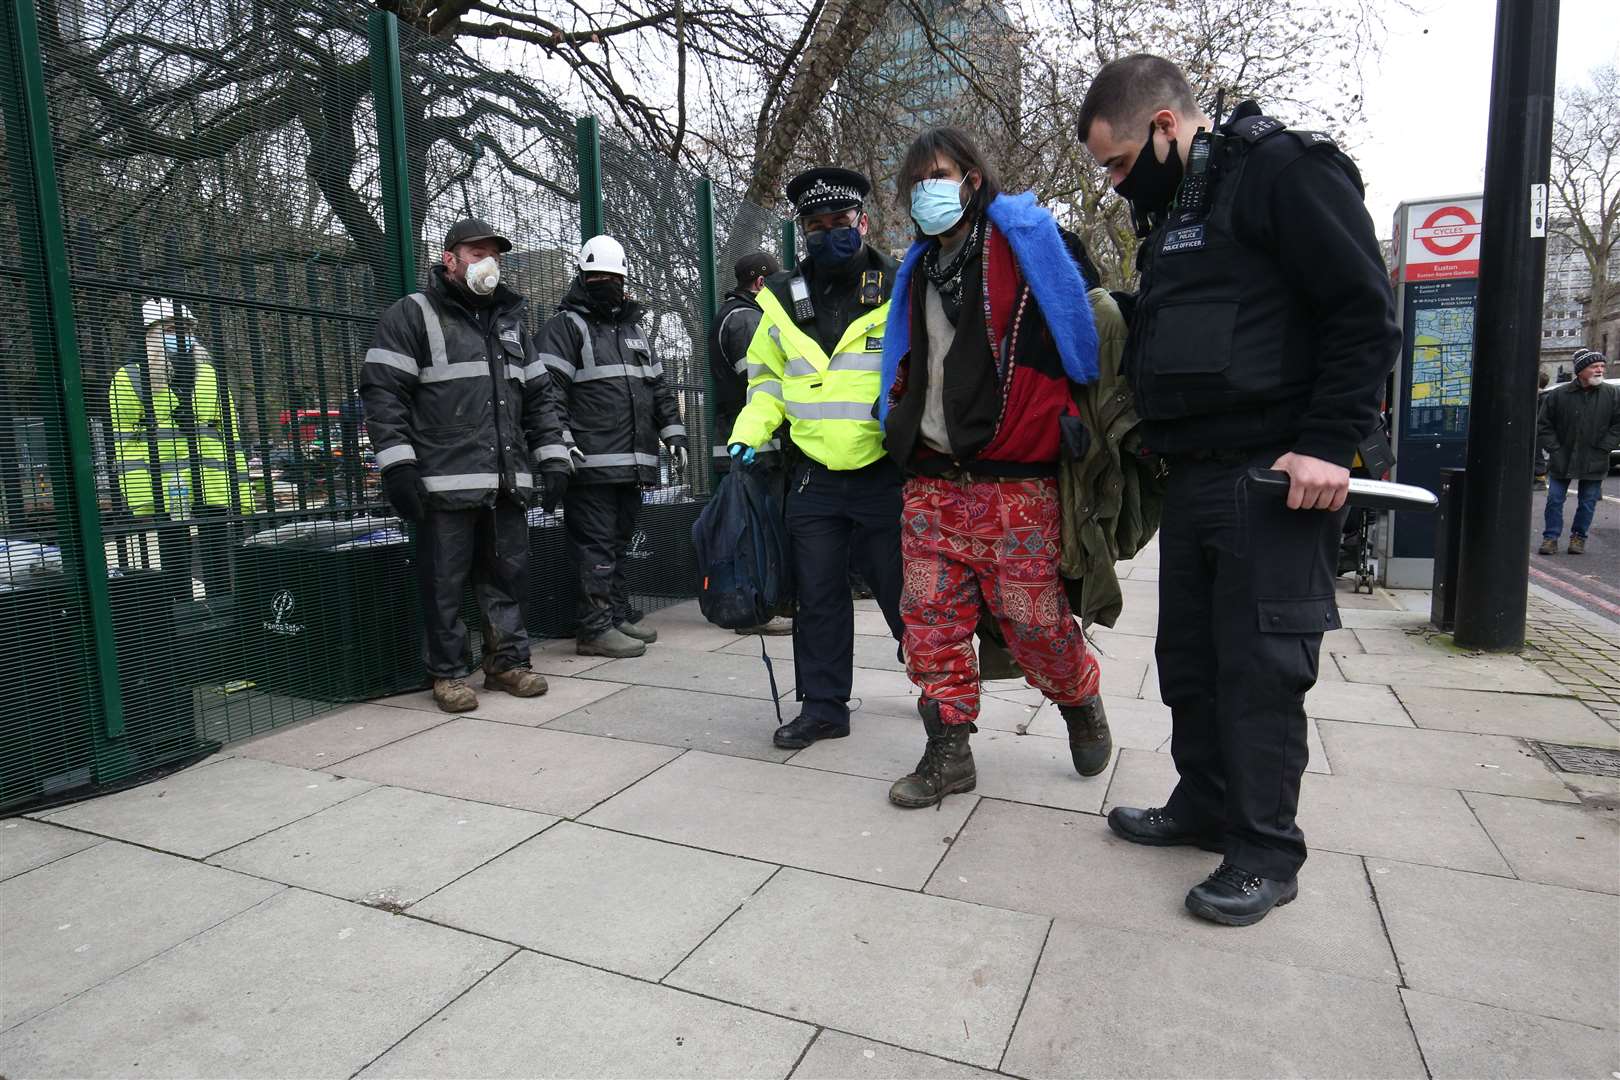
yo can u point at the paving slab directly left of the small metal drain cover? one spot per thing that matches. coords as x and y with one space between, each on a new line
1459 760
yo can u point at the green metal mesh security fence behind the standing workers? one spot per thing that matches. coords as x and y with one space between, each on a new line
203 208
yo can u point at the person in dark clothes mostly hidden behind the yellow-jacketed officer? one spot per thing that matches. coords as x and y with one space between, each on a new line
733 331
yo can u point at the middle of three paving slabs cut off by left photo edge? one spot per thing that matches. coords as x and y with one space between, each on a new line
87 917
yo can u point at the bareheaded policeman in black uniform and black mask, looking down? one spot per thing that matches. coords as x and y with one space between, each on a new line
1261 338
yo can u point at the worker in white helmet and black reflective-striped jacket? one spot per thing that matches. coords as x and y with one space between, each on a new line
615 407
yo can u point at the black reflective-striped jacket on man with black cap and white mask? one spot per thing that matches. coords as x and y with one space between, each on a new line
463 394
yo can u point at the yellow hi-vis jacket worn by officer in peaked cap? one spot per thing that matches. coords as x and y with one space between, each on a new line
825 399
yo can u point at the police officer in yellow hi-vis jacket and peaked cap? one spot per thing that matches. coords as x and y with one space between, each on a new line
817 362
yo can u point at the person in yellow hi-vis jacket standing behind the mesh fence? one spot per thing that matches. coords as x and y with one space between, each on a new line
177 448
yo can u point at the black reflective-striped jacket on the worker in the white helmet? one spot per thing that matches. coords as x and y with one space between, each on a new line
616 404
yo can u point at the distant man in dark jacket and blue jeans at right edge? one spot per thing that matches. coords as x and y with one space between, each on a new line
1579 430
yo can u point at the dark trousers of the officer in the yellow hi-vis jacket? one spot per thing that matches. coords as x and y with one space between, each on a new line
840 521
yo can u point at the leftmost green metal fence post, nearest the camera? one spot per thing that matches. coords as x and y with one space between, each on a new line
46 247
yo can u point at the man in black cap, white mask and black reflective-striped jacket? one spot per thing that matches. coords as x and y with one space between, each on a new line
459 414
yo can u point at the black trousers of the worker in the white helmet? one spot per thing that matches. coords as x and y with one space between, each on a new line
600 524
